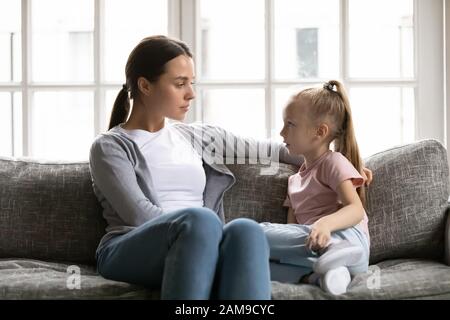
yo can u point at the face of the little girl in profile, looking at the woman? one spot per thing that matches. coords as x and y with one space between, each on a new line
298 131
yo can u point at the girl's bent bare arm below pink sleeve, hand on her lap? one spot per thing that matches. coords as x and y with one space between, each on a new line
348 216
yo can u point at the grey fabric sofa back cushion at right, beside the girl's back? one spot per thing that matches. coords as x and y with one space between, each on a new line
407 201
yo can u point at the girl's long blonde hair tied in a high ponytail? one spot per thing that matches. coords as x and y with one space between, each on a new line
331 104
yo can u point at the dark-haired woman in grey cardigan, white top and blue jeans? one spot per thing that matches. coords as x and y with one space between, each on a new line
162 193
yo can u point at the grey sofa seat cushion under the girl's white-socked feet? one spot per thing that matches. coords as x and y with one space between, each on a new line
398 279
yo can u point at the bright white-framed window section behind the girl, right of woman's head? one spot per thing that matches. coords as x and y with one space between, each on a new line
248 69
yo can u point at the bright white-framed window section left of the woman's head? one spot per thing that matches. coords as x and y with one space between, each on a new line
74 55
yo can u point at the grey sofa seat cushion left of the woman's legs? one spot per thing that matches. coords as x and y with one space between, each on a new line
34 279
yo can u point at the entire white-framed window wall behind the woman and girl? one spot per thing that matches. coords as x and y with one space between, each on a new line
62 64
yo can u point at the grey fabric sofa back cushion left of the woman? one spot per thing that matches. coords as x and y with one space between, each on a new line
48 211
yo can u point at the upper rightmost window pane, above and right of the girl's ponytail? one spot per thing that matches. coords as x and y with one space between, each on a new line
381 39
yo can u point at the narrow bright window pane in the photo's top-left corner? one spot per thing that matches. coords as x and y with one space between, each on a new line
10 41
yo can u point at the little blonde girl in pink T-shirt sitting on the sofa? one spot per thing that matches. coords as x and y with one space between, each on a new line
326 240
